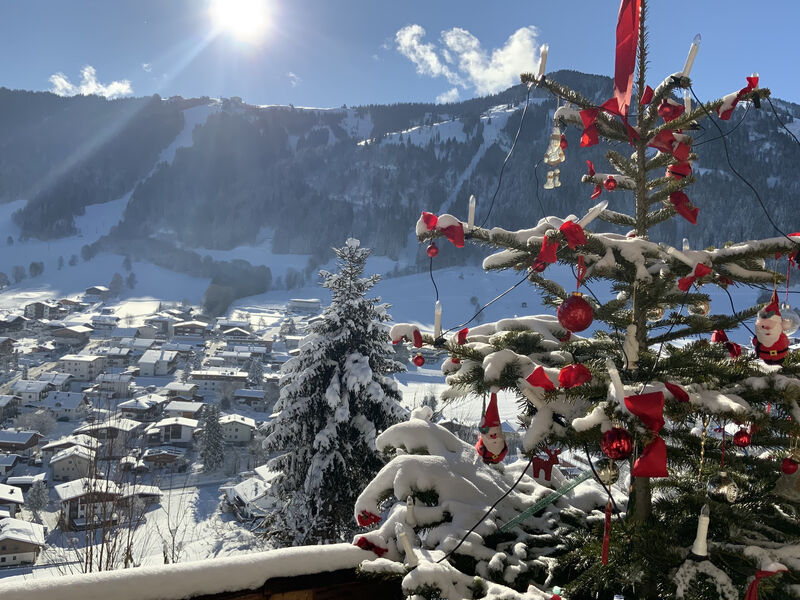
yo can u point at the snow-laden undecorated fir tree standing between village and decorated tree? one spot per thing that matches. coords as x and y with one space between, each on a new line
336 396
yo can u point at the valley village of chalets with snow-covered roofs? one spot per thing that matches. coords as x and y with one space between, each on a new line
101 420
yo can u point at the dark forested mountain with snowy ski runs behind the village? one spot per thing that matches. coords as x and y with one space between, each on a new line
204 175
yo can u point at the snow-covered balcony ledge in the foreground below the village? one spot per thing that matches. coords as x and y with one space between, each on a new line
315 571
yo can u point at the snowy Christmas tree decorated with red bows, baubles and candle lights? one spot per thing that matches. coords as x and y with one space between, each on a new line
704 432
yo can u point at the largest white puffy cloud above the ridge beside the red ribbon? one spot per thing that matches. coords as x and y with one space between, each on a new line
463 62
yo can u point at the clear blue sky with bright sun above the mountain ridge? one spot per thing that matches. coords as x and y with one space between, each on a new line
329 53
